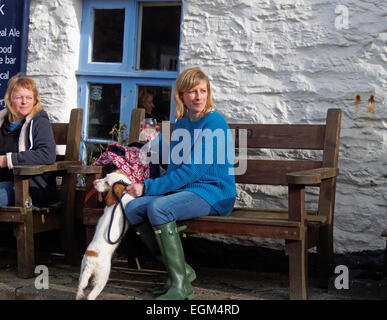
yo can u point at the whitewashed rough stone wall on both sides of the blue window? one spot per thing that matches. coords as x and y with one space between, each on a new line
282 61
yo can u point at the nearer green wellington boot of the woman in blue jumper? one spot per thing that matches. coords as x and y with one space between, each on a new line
169 241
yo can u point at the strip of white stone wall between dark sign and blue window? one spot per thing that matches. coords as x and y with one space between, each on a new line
53 53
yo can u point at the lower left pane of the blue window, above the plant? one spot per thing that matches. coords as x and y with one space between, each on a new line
104 109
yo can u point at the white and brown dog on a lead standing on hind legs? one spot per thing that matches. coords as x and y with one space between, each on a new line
96 262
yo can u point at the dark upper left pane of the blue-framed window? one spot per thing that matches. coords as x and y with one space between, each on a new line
108 35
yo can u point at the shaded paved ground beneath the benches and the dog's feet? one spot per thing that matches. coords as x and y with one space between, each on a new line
130 284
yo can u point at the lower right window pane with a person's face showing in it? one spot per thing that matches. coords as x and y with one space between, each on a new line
155 100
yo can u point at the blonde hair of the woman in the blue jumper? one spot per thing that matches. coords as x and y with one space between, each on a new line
188 79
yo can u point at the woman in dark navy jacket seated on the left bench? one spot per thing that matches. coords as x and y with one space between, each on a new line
26 138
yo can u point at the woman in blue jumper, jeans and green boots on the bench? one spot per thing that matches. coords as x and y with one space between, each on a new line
190 188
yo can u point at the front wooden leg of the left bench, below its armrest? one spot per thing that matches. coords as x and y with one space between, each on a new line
25 248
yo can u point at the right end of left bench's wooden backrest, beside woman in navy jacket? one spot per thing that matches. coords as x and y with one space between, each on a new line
69 135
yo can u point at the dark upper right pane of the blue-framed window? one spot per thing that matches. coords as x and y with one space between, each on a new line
159 33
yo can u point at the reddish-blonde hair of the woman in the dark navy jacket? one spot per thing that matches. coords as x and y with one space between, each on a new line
21 81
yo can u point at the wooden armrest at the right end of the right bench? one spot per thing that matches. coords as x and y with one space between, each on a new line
312 176
